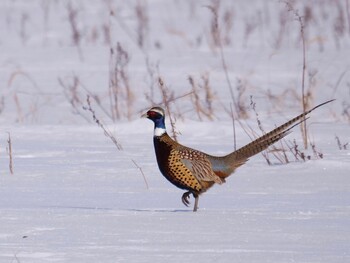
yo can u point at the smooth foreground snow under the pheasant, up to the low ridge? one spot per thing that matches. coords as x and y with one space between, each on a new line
74 199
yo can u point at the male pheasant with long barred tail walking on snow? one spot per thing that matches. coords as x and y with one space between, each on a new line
196 171
